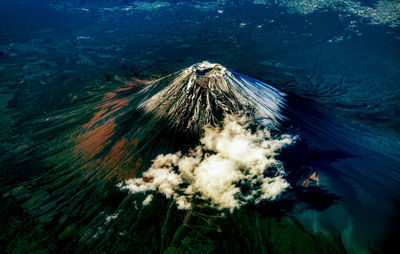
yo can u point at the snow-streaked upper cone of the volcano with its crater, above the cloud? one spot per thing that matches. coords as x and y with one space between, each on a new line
205 92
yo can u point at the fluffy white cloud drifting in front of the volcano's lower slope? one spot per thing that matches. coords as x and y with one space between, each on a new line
229 158
